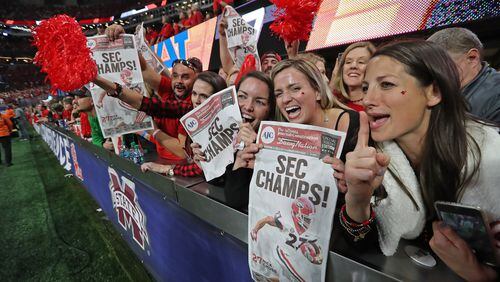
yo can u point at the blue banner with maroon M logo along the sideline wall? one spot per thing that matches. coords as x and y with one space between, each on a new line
170 241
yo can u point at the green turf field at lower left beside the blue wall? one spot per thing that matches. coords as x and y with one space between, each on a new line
50 229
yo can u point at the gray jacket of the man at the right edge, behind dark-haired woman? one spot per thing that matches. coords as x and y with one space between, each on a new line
483 94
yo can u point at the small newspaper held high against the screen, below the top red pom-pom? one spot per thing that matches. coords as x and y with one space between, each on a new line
241 38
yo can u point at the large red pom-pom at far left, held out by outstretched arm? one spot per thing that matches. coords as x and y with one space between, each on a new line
63 53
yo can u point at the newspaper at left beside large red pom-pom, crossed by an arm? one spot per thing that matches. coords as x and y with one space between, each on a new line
118 62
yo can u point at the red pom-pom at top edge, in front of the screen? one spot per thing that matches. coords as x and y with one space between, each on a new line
294 18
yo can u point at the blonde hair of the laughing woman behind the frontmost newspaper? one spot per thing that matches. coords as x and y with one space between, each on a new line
315 78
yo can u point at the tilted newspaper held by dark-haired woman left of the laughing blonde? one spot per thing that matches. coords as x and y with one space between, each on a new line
214 125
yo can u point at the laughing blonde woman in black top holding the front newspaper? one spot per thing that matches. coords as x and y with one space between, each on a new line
302 96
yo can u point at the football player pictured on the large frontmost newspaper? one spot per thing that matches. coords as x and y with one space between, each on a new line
294 248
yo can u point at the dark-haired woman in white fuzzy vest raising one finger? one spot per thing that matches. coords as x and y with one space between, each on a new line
412 109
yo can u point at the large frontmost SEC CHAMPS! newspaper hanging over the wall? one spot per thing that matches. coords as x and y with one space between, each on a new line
292 202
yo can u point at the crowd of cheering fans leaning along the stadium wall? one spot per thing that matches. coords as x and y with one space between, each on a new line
399 104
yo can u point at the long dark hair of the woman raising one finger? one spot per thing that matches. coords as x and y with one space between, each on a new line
444 172
